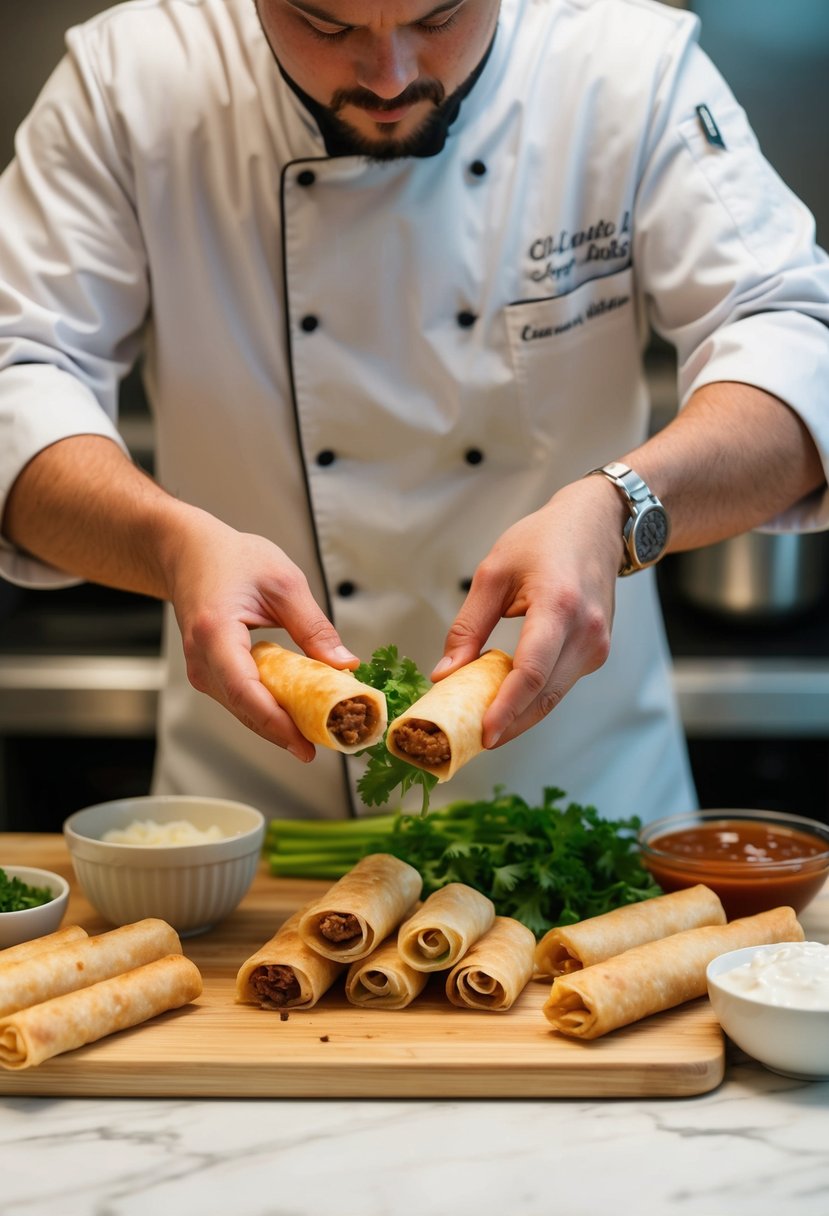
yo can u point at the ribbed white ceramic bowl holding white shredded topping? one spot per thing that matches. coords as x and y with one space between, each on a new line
193 887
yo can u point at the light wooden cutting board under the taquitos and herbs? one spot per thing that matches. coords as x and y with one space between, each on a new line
218 1049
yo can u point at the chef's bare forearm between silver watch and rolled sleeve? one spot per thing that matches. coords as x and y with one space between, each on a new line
731 461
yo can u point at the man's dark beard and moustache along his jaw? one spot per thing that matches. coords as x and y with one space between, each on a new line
428 139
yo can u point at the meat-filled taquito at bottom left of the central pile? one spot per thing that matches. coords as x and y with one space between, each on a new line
286 973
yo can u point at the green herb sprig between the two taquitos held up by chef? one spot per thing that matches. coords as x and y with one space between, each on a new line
403 685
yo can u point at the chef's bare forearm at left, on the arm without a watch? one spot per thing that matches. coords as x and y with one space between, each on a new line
83 508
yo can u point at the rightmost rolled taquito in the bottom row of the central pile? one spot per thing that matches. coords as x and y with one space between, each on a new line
497 971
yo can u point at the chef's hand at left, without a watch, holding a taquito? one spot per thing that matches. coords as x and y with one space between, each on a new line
224 584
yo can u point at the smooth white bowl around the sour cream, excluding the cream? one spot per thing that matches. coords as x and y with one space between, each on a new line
786 1040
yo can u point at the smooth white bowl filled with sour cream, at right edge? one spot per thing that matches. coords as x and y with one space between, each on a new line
774 1003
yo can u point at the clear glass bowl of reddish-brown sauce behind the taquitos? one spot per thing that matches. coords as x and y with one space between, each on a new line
754 860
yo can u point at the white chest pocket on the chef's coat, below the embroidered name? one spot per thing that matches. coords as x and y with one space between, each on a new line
577 359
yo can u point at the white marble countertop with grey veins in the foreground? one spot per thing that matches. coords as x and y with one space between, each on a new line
758 1145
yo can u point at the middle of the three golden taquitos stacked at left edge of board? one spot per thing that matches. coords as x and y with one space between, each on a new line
82 964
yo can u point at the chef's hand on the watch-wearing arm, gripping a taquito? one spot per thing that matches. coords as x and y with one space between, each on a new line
559 570
